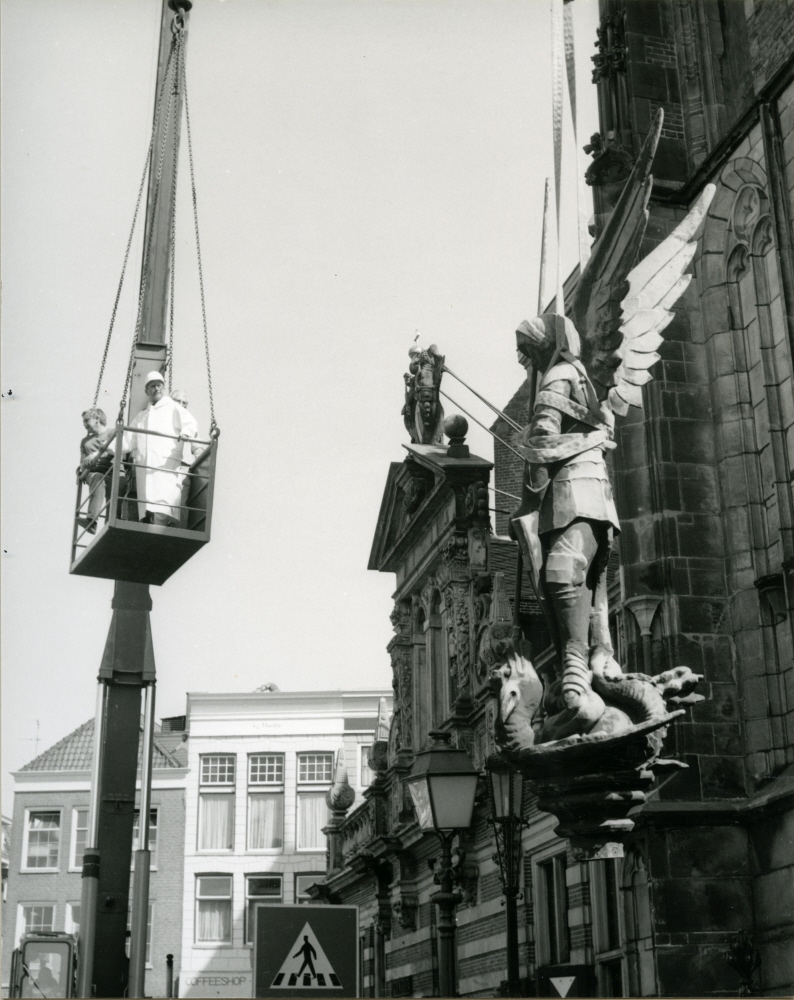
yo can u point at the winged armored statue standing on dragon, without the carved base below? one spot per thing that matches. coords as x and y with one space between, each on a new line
592 366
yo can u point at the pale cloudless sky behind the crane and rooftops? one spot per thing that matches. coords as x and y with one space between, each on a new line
366 170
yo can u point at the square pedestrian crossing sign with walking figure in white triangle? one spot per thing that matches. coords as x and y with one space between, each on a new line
306 951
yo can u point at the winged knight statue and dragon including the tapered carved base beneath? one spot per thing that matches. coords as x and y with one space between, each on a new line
590 739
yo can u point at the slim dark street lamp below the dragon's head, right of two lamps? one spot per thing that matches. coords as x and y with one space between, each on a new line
507 786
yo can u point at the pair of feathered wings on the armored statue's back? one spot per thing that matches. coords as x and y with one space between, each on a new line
620 310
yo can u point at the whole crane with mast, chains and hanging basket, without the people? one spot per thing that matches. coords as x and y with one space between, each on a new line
116 544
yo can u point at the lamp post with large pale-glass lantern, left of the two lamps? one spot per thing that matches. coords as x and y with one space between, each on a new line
443 783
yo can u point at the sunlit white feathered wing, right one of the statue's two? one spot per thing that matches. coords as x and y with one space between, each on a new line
655 285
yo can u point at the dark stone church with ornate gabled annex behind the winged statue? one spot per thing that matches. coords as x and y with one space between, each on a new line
701 901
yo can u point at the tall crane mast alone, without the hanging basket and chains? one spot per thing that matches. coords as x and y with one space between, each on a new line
128 669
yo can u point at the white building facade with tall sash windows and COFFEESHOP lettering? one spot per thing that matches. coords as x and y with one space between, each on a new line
260 765
